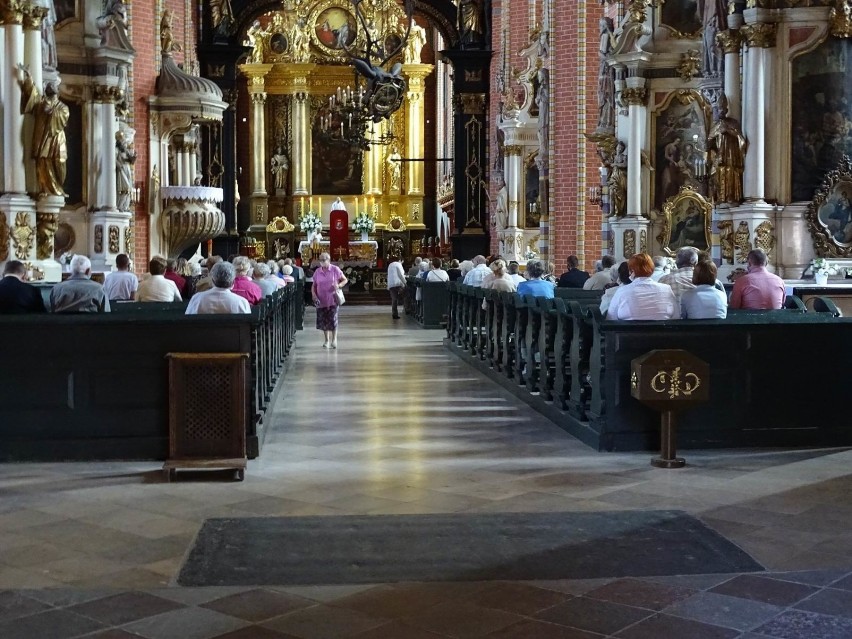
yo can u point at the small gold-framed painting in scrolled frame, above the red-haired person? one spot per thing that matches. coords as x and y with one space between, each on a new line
686 222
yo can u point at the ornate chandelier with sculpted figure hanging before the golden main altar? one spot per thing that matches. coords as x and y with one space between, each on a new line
381 29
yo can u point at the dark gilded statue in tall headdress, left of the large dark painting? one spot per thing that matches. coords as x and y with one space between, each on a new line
727 147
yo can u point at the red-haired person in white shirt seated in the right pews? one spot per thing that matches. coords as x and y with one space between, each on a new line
644 299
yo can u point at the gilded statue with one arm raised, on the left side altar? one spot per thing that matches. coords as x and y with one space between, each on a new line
51 117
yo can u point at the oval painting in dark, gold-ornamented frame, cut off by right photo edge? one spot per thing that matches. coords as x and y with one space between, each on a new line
829 215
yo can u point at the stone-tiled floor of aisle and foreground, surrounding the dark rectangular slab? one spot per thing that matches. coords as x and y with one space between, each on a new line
391 423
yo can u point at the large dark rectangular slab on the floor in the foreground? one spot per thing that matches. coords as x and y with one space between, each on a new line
457 547
